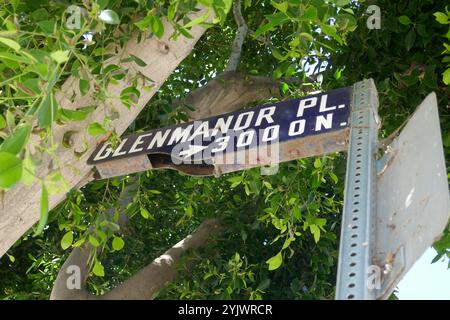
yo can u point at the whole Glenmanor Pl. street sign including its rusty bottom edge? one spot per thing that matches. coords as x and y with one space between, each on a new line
263 135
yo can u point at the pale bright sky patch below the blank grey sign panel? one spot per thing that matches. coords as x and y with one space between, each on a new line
426 281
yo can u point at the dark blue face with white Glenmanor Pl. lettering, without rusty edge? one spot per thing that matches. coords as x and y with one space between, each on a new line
231 132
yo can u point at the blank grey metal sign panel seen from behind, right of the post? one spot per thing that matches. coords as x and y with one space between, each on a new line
413 202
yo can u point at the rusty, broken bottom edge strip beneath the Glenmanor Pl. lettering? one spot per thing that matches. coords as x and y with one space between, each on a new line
309 146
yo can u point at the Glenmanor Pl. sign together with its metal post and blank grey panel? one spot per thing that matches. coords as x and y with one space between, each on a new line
394 207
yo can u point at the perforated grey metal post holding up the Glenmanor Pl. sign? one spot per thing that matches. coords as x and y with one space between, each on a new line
360 195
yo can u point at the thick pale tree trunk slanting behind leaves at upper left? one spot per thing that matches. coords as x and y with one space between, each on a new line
19 210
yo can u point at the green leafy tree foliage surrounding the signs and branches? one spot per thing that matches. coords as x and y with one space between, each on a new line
282 230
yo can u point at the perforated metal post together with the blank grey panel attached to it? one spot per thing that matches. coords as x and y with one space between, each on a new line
395 208
